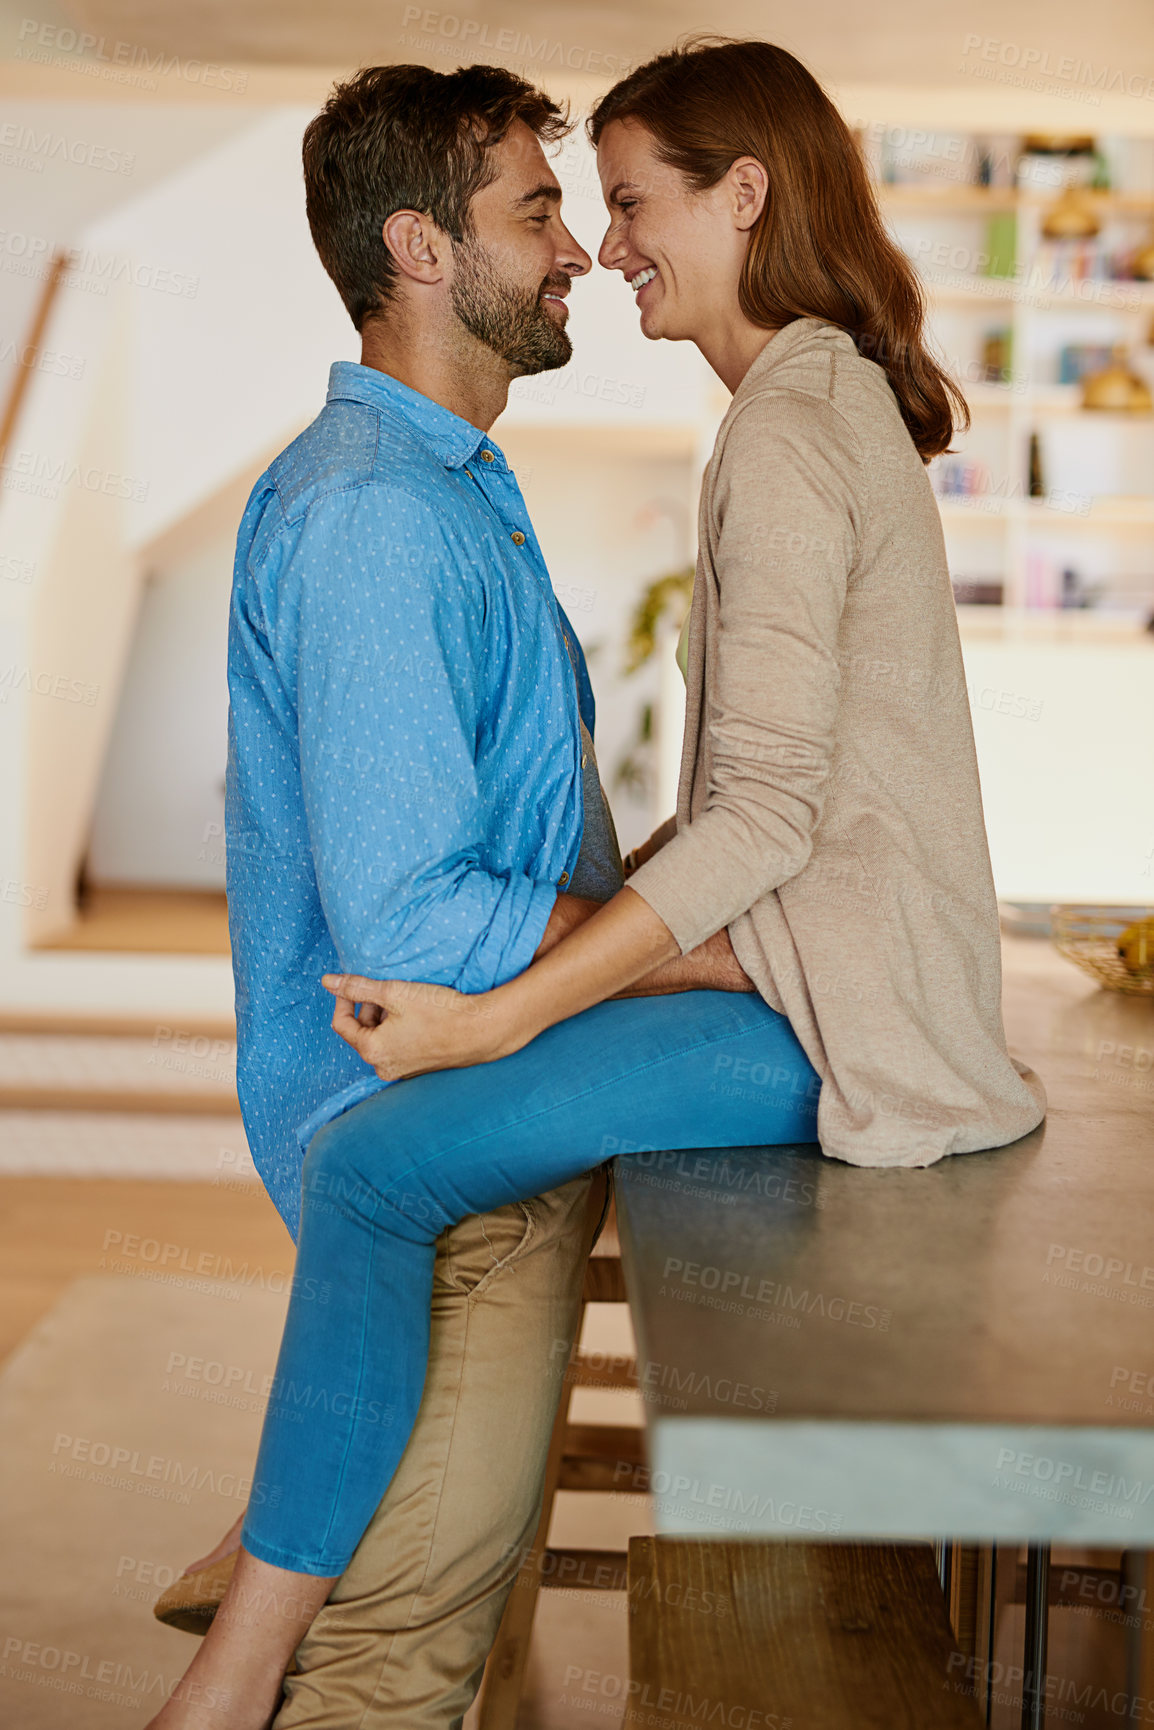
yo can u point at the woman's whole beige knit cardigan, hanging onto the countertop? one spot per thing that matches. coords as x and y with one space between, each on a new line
830 809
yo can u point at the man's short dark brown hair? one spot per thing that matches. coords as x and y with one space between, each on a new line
406 138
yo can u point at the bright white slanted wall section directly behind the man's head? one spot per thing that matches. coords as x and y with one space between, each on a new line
240 364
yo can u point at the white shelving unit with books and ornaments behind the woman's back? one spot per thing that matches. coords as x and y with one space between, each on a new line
1096 516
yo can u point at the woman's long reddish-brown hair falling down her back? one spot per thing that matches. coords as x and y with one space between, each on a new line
821 248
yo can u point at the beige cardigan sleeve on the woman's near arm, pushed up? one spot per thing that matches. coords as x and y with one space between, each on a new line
785 530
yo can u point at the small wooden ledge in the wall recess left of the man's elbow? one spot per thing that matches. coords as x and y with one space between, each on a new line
148 921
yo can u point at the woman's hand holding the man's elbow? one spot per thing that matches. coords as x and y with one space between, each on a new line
418 1027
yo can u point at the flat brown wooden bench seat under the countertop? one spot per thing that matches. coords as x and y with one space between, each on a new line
842 1636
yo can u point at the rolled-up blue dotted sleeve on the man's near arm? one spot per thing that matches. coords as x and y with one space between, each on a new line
388 648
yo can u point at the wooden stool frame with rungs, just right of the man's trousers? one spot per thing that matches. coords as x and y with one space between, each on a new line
580 1458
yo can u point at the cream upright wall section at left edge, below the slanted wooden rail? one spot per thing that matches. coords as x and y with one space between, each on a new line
68 627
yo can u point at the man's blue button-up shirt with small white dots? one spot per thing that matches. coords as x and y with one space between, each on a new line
404 791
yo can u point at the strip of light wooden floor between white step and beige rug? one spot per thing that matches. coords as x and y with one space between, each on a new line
56 1229
